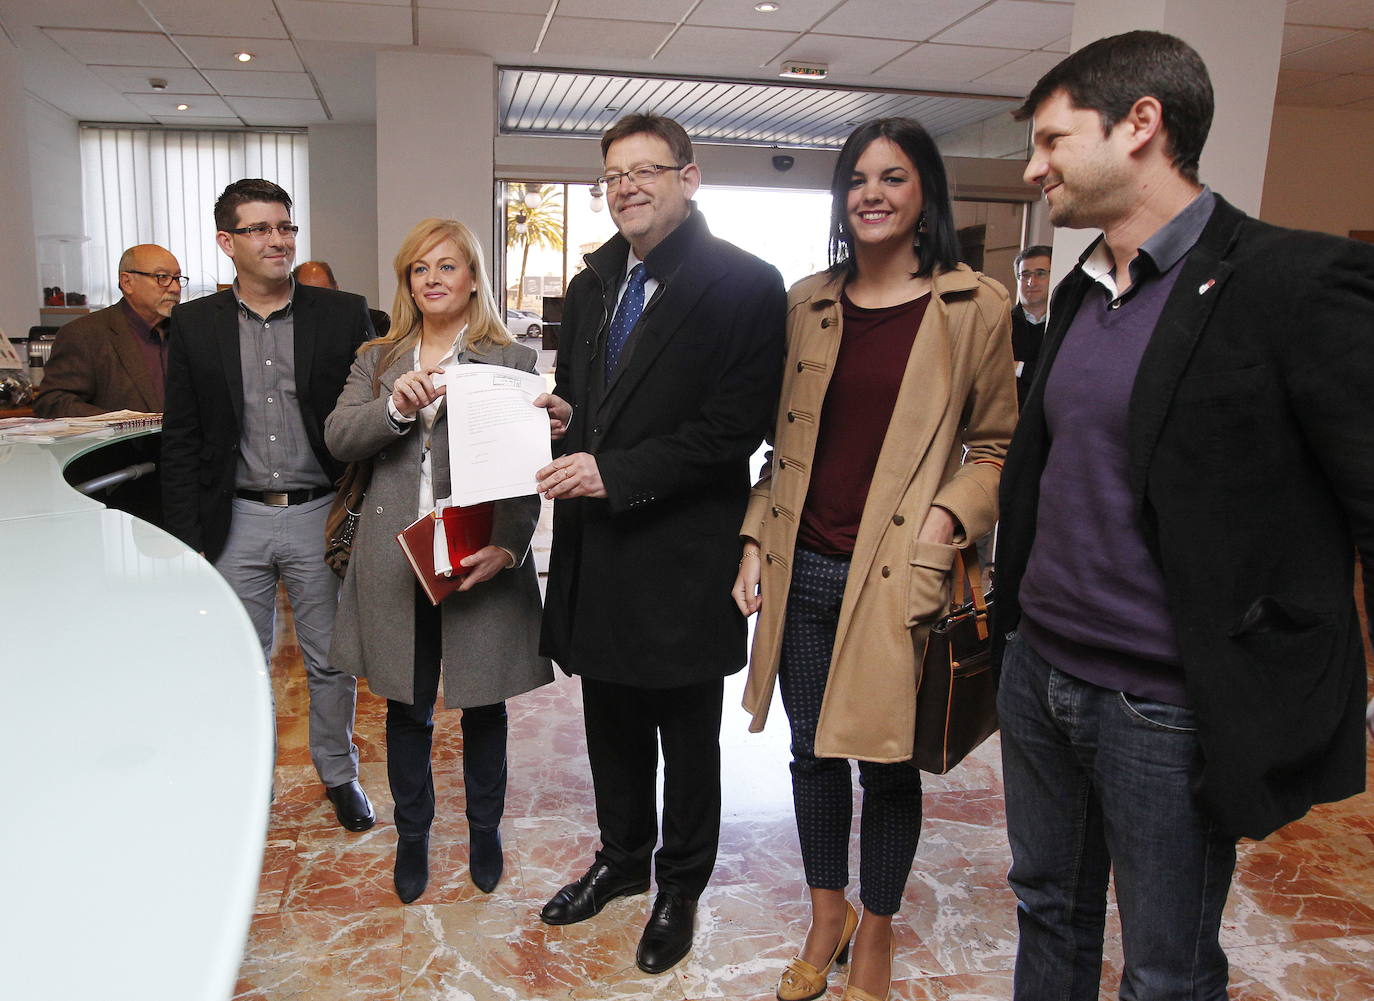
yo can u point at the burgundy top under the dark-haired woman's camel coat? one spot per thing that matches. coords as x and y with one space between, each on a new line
854 422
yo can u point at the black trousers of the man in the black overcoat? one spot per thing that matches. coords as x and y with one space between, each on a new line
624 730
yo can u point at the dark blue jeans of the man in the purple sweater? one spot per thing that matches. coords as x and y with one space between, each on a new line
1099 782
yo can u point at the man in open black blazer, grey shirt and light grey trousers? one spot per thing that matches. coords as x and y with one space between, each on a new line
247 480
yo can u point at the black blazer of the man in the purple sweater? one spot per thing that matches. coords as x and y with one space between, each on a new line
1252 466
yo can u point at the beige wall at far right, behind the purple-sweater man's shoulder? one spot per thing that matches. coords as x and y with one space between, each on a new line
1320 171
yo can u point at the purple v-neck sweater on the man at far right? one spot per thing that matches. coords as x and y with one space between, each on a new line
1093 598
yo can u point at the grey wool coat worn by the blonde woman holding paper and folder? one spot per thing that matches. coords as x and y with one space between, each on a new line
491 634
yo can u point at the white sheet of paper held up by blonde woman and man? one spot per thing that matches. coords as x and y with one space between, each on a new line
498 440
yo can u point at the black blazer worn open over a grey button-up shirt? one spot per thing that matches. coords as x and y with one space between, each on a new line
204 418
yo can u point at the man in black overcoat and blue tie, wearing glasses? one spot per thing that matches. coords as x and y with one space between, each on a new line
668 371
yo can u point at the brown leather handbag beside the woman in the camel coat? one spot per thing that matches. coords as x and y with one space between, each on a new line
957 701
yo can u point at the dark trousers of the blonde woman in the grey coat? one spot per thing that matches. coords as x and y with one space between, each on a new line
410 738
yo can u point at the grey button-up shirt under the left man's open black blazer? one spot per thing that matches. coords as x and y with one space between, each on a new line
274 450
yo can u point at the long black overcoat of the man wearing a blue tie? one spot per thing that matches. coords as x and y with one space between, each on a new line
640 583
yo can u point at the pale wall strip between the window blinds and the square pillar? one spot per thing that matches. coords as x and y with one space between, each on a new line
344 208
